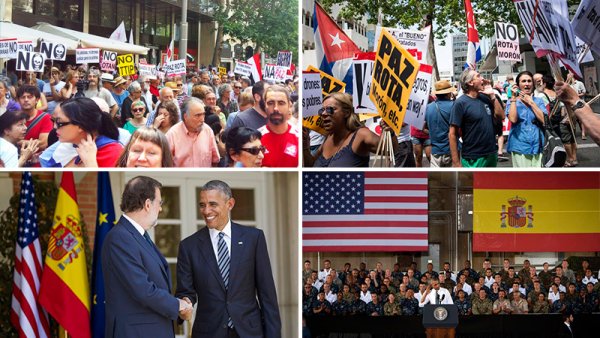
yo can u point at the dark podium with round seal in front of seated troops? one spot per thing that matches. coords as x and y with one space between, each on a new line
440 321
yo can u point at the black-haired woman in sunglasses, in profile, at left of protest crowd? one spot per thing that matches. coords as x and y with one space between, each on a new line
91 131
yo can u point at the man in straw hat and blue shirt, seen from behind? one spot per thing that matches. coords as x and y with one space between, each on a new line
437 117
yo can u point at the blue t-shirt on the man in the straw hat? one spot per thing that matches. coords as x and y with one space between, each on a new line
437 116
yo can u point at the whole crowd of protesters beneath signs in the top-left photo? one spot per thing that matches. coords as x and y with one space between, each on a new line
78 117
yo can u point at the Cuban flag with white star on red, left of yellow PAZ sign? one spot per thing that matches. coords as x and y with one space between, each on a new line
334 48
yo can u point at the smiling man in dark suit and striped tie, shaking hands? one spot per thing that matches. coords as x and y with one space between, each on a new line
225 269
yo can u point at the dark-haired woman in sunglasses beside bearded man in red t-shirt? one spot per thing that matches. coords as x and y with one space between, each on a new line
244 148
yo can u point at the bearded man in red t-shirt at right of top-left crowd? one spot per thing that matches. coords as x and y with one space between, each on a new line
279 137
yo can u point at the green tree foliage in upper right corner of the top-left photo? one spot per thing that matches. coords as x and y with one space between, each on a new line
270 25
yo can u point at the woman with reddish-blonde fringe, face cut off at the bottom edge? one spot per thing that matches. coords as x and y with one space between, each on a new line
148 148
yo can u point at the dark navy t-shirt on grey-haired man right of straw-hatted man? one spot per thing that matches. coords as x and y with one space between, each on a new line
474 117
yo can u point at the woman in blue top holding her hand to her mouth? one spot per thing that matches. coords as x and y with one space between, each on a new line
526 114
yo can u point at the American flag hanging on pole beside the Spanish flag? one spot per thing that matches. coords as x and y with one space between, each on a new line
26 314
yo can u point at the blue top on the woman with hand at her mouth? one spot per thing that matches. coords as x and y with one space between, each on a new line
526 137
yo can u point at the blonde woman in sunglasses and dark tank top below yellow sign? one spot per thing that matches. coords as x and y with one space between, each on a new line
348 143
